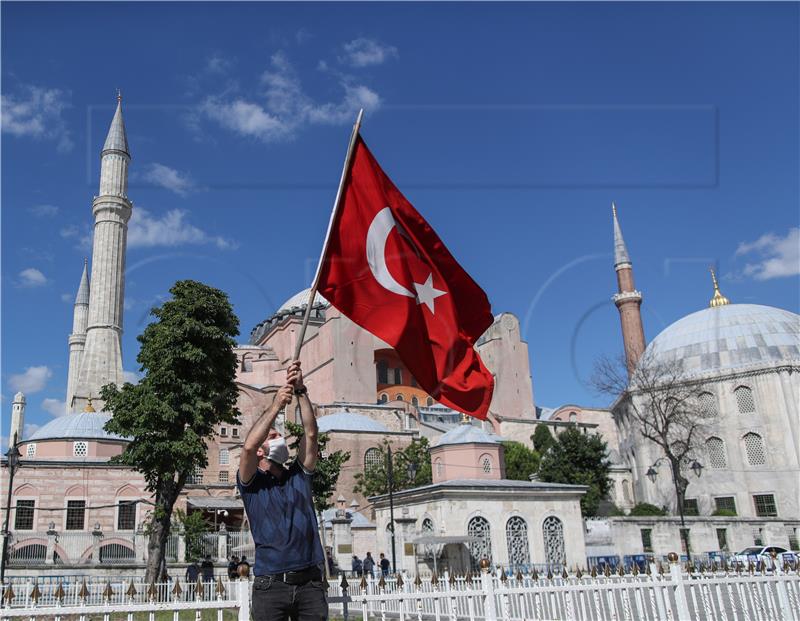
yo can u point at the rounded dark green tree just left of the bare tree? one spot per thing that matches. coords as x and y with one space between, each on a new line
579 459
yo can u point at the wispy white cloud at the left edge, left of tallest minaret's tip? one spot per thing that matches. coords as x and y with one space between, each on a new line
36 112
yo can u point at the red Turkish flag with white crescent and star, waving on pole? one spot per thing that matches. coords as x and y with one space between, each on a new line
385 268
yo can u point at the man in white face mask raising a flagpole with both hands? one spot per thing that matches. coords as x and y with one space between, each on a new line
279 504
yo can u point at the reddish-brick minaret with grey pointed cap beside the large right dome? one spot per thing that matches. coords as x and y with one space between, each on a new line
628 300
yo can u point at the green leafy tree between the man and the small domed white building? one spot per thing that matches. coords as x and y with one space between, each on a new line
374 481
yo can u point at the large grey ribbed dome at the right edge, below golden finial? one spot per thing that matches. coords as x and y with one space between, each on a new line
734 336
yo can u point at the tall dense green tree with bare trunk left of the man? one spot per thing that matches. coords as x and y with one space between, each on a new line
187 389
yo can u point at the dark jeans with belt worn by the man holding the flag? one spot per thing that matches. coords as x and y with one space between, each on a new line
274 600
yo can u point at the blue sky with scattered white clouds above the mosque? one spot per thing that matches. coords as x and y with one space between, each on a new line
510 127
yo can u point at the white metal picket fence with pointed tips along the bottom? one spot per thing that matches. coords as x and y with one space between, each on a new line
660 594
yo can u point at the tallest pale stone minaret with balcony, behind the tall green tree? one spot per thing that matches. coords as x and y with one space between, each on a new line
101 362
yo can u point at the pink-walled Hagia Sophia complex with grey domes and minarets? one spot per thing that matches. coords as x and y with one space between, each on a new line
71 507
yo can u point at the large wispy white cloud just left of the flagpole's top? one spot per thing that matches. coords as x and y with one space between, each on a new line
285 106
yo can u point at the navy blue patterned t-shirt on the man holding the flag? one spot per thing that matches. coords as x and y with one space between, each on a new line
282 520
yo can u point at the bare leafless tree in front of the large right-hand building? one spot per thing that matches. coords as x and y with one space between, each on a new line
667 407
